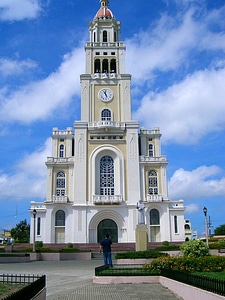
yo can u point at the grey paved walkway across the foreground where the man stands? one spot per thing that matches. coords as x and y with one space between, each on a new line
68 280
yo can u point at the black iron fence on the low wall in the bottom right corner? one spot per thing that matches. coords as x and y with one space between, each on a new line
213 285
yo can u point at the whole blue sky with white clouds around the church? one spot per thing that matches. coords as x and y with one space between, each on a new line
176 55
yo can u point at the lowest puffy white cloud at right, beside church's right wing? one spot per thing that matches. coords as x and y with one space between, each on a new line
201 182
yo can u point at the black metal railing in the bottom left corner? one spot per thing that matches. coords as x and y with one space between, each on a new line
33 284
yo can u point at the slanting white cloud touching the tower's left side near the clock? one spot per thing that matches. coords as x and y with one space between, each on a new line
46 95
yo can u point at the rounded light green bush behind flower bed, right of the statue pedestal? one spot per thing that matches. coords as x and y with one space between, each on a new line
194 248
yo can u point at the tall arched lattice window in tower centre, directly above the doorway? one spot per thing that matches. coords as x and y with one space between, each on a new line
106 176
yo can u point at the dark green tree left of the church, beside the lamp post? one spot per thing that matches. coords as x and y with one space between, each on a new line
21 233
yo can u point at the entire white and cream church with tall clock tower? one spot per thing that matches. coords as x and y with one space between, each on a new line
105 166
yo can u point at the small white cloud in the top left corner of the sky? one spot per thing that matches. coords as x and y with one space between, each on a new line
16 10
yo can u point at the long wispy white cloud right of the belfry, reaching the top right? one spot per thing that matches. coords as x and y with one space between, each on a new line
166 45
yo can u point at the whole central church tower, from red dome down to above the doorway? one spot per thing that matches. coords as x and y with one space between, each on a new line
106 134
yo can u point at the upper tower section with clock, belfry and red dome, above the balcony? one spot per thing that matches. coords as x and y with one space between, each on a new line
105 85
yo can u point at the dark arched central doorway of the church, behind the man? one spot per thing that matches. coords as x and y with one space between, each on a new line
110 227
